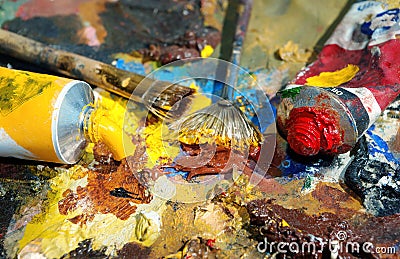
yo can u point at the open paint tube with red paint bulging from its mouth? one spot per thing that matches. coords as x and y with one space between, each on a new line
334 100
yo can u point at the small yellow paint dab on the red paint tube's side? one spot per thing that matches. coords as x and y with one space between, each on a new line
332 79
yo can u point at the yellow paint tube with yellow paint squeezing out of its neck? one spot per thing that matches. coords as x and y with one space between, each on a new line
52 119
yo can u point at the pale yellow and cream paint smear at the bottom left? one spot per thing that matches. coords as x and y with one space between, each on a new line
57 235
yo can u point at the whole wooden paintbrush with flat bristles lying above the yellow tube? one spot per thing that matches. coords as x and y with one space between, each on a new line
162 98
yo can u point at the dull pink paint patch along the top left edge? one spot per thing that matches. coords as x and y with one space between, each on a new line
47 8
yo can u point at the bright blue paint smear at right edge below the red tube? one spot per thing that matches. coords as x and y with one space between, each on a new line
379 146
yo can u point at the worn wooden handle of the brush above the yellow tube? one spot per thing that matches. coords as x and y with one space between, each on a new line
76 66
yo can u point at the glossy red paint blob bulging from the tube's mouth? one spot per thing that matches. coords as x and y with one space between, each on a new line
311 130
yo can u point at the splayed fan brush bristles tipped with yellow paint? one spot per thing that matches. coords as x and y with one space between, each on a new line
221 123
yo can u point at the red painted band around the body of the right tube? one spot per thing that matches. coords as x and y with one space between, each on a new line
380 73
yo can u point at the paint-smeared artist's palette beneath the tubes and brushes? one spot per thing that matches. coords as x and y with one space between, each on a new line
143 207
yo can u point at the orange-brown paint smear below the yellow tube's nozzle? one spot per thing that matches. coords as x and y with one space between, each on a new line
97 196
